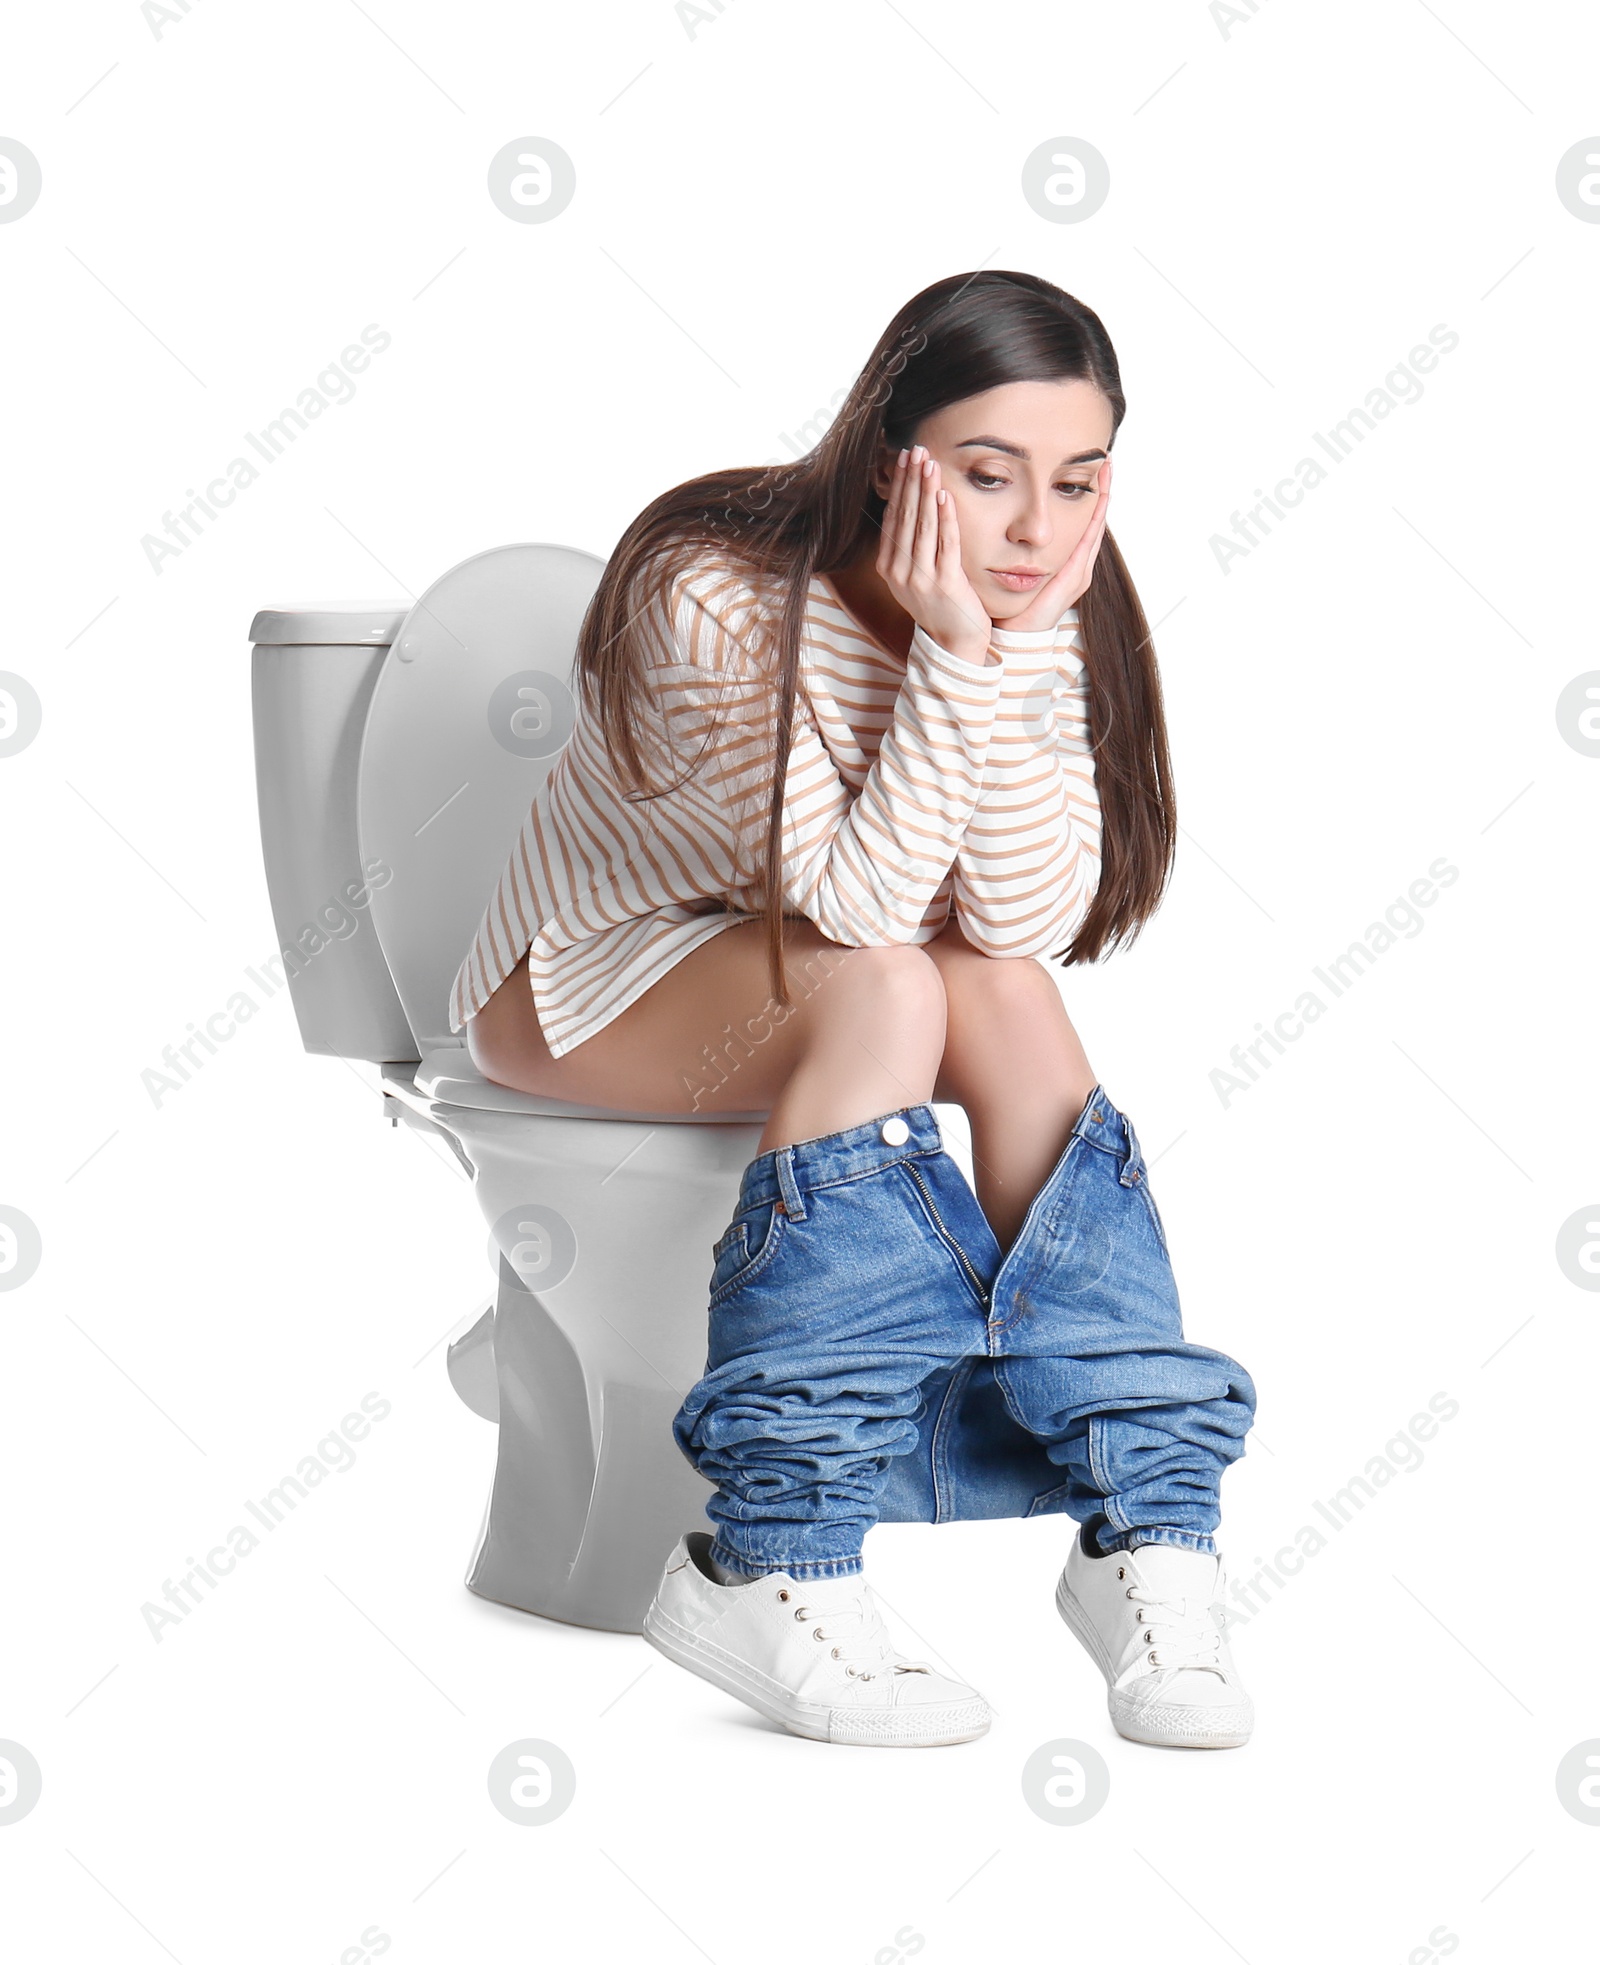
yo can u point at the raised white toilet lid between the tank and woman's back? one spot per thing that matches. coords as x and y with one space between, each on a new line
469 716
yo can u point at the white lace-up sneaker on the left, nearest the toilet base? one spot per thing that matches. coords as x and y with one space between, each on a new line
811 1656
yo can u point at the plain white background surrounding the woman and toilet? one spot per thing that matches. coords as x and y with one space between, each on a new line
1296 201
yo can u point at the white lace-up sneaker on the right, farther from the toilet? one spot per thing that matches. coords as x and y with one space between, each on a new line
1145 1616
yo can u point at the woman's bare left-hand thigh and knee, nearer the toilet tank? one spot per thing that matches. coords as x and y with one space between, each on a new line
864 1035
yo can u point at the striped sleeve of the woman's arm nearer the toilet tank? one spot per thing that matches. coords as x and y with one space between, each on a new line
862 866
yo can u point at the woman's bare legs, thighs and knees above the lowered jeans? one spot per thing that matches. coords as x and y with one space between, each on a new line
870 1031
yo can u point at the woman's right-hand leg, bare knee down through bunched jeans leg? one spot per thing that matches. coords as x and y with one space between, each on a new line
1090 1323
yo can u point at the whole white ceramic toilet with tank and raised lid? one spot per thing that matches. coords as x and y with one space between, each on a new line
398 748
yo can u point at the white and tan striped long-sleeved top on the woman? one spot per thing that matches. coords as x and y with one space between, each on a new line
915 783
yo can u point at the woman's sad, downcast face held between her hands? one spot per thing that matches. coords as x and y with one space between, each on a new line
1023 467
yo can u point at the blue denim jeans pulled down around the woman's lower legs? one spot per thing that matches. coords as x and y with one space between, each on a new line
876 1359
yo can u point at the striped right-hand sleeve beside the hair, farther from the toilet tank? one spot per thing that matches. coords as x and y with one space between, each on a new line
1031 860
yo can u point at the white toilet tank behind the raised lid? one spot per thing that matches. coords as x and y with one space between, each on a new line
314 673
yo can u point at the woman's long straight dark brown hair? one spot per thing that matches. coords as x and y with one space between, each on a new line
783 524
